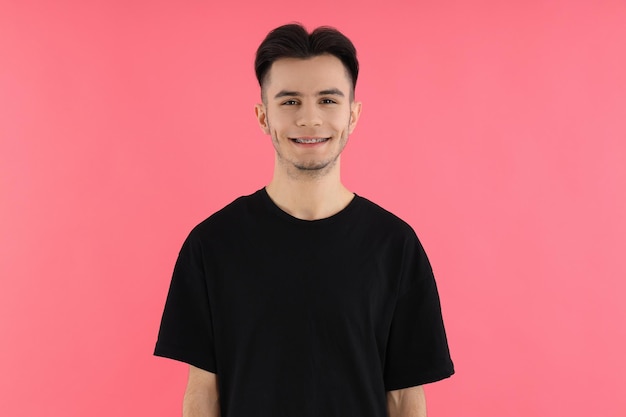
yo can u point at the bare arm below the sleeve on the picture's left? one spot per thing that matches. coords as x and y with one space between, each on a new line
201 395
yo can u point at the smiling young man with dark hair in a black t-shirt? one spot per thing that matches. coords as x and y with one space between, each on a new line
304 299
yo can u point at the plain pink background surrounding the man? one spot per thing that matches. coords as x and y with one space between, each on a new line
497 129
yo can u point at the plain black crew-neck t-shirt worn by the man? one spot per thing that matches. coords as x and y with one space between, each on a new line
305 318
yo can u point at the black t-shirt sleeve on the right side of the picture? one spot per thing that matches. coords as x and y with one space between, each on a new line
417 348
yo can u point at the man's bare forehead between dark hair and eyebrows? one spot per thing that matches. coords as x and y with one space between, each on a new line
318 72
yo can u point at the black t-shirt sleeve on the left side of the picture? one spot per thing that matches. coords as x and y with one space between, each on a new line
186 332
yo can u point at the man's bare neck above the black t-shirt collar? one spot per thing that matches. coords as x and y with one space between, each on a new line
309 197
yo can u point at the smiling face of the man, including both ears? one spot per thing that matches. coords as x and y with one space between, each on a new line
308 112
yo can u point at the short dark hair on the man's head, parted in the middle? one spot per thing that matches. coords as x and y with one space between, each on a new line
293 41
